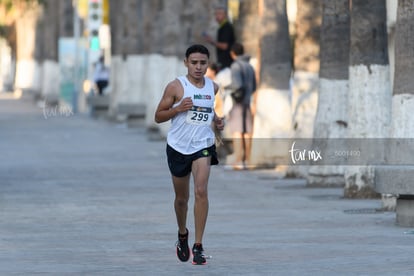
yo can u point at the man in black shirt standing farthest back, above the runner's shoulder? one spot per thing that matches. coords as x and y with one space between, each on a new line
225 38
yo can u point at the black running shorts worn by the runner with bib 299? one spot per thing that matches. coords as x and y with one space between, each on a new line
180 164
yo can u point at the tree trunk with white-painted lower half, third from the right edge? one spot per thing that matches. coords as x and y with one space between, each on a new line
331 118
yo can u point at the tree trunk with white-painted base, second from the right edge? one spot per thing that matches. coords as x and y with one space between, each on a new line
369 102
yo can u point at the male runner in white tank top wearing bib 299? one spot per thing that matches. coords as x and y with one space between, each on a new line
189 102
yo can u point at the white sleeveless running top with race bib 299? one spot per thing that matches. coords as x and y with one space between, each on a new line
191 131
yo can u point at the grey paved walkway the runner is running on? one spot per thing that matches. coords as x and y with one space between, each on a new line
87 197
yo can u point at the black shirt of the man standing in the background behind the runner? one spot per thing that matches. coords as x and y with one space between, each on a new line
225 33
